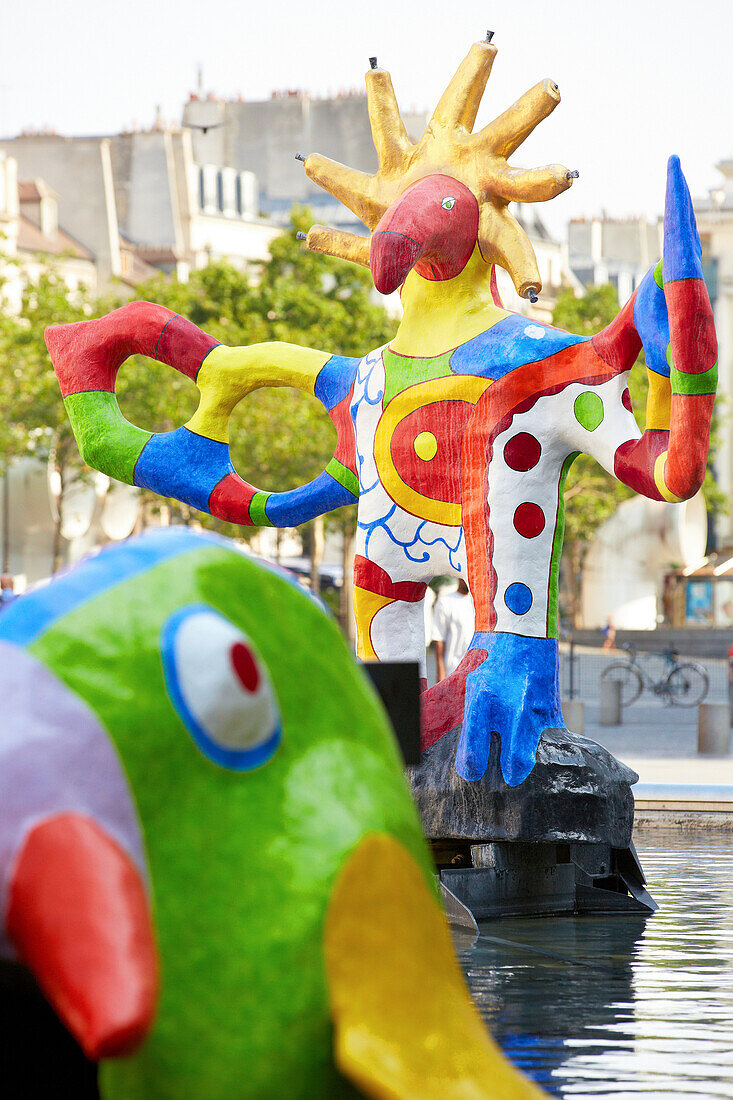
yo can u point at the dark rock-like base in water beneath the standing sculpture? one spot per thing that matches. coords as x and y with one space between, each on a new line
560 843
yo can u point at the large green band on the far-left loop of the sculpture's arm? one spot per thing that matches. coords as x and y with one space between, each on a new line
106 441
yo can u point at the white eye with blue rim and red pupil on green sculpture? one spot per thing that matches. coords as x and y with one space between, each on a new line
220 686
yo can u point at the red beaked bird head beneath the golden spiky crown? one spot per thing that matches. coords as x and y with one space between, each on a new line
433 228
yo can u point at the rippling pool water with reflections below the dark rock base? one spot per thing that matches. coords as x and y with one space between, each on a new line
622 1006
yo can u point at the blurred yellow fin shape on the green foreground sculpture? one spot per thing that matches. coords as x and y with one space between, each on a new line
406 1027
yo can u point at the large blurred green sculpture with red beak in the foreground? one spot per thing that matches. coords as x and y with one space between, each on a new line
210 859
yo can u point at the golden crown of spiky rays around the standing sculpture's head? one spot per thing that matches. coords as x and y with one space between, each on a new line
448 146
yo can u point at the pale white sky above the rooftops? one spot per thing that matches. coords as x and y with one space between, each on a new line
640 80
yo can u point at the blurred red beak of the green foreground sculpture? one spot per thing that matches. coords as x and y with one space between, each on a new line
79 918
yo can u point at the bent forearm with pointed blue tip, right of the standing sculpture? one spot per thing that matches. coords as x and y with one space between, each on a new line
671 316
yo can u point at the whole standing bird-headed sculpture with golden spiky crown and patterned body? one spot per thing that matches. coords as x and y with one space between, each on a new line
457 437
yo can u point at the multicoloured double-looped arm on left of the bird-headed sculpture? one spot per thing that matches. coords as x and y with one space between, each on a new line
193 463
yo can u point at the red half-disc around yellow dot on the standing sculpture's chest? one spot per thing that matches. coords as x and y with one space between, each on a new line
437 478
